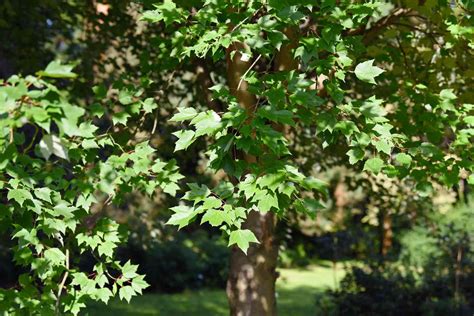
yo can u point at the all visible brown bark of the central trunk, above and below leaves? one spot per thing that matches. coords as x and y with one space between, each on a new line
251 282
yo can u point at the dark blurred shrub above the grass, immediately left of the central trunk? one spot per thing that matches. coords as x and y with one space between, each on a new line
190 261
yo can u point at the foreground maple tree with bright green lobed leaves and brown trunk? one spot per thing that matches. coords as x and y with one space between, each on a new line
385 83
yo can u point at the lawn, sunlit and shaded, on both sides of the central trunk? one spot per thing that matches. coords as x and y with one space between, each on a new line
297 291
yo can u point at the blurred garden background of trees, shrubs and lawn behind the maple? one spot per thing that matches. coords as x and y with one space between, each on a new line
377 248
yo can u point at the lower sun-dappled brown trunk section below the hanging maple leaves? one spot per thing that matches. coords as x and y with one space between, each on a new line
251 282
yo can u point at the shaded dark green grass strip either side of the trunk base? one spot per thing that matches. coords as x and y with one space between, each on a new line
298 301
